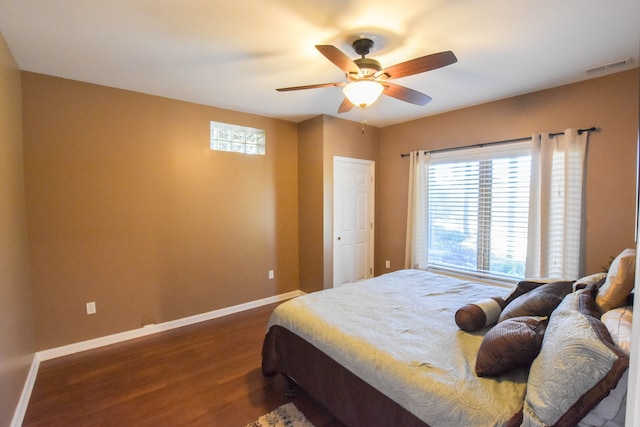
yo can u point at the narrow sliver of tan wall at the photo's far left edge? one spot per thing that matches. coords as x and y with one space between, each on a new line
16 325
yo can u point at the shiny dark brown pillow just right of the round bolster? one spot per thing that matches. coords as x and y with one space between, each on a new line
540 301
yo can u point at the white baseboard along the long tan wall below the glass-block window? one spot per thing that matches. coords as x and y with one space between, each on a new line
161 327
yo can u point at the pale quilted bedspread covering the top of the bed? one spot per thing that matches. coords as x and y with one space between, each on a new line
397 332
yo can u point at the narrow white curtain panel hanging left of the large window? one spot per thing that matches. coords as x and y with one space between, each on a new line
416 244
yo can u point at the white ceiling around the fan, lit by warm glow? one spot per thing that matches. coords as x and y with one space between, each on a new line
234 54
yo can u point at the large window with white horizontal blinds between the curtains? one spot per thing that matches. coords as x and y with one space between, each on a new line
478 210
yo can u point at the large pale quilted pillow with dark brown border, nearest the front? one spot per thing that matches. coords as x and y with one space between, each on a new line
577 367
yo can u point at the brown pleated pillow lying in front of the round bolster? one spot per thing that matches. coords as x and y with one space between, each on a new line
509 345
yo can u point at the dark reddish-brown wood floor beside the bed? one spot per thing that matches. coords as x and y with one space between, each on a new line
206 374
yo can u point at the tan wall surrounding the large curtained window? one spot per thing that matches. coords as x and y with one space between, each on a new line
610 103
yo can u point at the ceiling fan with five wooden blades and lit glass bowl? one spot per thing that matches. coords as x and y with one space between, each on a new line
367 80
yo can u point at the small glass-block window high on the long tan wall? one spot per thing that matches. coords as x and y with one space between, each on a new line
237 139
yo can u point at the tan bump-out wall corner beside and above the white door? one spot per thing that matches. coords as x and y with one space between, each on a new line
321 139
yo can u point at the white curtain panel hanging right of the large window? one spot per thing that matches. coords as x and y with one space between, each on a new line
555 207
